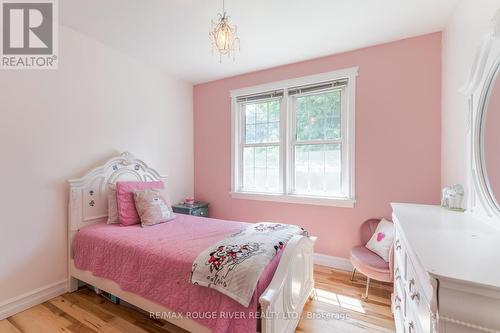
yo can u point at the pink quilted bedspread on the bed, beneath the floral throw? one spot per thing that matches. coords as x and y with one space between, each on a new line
155 263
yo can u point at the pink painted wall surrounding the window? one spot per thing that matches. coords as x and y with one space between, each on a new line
398 129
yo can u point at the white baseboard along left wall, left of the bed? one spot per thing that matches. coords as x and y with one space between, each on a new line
32 298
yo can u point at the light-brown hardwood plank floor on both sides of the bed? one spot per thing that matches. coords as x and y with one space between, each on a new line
338 307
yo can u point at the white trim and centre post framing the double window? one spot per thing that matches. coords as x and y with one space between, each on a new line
349 127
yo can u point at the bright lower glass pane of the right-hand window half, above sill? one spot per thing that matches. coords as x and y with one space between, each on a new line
318 169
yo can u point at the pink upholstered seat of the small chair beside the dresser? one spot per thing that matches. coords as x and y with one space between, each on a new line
370 264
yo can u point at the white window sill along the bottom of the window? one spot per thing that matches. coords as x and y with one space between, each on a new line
308 200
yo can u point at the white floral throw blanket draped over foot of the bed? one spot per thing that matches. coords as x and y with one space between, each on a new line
233 266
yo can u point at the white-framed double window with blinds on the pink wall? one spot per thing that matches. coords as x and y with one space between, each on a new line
293 140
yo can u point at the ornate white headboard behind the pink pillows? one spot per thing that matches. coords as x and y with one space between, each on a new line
88 200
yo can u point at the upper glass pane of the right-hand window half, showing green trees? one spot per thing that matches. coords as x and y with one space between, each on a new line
318 116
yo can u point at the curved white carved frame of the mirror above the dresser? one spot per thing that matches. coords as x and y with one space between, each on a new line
481 200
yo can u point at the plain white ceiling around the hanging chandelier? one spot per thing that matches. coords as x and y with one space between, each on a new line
173 34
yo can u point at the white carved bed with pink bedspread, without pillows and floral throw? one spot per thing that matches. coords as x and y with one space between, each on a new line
283 288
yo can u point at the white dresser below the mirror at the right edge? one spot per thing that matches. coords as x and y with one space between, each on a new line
446 271
